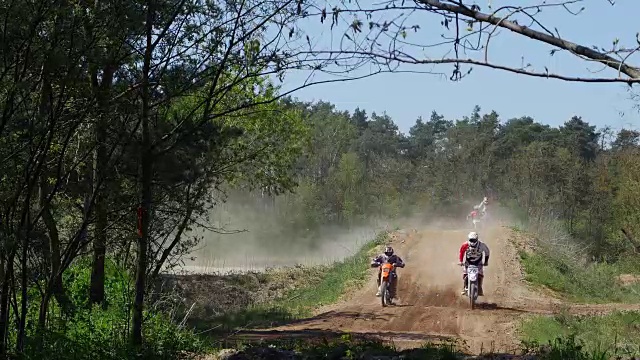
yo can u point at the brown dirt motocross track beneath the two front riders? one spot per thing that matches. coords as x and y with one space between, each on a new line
430 306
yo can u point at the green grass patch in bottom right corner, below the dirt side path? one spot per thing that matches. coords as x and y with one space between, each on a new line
615 334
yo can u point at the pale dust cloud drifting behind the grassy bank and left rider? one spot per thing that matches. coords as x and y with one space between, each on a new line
255 235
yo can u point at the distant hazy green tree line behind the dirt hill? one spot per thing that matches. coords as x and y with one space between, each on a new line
574 175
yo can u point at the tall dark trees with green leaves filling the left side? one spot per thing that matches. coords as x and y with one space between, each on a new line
191 112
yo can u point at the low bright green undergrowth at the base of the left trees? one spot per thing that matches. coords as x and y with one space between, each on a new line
85 335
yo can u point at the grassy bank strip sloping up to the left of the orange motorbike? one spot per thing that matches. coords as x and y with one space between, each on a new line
324 285
